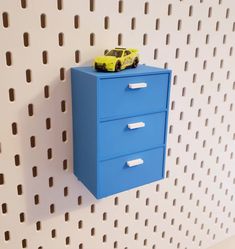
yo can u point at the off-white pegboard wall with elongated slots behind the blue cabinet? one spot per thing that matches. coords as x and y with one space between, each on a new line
42 205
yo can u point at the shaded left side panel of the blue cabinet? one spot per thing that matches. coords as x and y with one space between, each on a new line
84 103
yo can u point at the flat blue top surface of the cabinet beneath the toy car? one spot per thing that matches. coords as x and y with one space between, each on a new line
140 70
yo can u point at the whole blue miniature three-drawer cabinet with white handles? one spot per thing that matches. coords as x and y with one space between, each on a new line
119 127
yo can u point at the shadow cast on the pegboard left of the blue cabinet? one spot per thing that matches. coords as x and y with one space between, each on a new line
50 188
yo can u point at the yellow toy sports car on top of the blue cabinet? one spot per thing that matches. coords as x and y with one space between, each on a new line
117 59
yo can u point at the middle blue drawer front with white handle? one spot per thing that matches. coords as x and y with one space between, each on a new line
128 135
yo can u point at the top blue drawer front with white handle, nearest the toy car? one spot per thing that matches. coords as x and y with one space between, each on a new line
126 96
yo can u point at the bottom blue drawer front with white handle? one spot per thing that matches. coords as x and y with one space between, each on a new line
116 176
